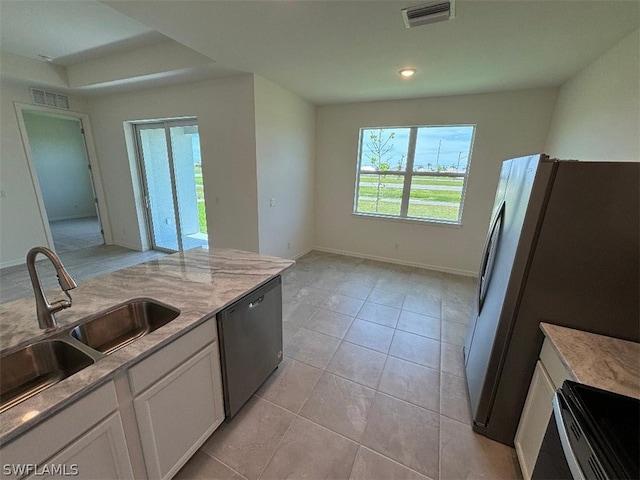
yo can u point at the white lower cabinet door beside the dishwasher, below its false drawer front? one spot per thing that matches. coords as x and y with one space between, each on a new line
177 414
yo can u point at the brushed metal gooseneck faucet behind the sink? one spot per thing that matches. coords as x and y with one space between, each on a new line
44 309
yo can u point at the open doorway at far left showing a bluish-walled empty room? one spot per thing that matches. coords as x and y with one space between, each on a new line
61 163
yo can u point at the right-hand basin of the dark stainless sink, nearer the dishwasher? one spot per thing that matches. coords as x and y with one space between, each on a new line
124 323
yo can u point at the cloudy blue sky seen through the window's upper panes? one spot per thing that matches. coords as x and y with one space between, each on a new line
447 146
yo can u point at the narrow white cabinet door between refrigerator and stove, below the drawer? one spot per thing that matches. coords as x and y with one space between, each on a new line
533 422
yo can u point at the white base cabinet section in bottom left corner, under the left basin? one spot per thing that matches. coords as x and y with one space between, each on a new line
86 437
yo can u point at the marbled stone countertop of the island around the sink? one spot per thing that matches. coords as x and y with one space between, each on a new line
198 282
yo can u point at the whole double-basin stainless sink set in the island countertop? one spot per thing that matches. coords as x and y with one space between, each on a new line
39 365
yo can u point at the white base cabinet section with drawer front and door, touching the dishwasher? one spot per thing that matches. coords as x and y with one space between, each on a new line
182 407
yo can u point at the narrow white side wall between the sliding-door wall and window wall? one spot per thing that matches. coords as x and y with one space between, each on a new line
285 132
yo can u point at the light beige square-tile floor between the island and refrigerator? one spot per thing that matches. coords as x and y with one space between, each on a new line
371 386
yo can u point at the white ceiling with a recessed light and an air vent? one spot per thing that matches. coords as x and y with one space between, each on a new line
336 51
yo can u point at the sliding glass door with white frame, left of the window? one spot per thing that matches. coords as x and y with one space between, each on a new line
171 172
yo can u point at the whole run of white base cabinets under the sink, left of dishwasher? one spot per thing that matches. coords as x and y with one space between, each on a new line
146 422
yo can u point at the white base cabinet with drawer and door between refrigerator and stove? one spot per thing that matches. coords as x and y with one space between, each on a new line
548 376
